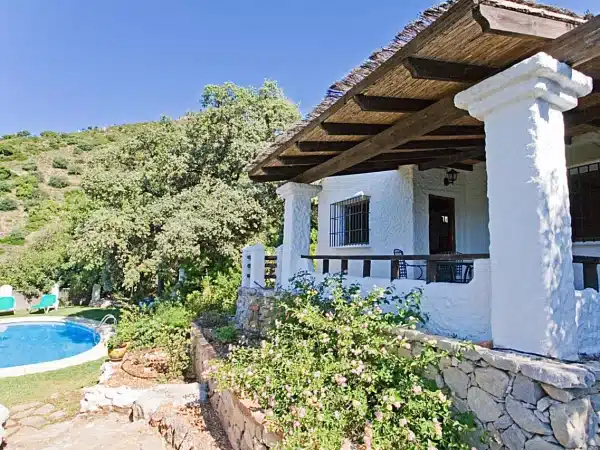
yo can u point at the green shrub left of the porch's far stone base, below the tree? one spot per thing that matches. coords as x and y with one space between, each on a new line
218 293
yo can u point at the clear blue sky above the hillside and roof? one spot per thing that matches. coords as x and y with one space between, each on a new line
68 64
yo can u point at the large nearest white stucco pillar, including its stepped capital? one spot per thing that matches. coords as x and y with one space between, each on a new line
532 295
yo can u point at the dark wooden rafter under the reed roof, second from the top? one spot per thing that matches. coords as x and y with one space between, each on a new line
434 69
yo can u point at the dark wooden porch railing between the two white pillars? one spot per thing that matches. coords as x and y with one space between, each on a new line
432 264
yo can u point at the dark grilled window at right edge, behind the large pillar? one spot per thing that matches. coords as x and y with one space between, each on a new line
584 195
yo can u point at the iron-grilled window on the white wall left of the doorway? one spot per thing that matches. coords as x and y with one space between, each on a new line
349 222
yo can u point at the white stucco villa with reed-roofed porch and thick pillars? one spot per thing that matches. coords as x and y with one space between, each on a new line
462 159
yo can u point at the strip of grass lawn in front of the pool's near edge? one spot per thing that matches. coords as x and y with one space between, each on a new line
59 387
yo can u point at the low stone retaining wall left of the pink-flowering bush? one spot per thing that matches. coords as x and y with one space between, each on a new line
242 420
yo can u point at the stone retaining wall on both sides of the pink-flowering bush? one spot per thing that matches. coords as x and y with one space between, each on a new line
519 402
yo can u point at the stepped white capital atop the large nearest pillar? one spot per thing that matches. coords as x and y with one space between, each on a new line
538 77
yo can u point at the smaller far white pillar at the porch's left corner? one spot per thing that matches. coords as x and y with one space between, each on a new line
296 228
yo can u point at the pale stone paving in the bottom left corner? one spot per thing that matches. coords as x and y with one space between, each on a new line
89 432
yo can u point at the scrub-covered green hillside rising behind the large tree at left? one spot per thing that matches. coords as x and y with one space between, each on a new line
37 172
